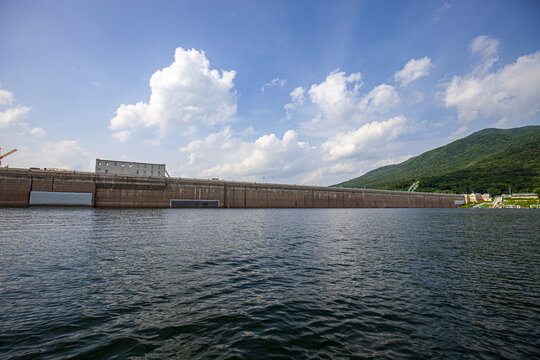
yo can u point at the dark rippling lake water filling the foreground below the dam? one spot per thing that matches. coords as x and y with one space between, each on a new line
269 283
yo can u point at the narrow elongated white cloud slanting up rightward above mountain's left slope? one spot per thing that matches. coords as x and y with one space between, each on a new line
352 143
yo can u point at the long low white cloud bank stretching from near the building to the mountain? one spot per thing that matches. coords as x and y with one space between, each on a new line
225 154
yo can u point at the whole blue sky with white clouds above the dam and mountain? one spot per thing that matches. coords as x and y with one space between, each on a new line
311 92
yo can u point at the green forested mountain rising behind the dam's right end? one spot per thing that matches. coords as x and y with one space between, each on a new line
490 160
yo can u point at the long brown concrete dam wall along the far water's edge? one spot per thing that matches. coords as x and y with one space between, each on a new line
27 187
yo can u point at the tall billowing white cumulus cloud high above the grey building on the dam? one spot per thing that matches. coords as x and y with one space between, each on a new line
186 92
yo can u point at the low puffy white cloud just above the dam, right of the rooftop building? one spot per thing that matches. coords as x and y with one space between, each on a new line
226 156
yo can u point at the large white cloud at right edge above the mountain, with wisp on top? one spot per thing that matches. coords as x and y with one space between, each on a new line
510 95
